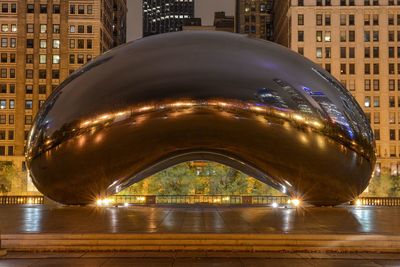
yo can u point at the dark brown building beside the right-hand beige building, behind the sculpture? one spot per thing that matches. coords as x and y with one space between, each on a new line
254 18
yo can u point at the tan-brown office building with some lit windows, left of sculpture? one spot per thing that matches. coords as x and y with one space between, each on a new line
42 42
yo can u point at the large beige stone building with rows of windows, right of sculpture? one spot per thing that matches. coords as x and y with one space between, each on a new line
358 42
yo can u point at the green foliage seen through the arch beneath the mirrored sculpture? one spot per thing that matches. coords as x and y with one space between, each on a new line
210 179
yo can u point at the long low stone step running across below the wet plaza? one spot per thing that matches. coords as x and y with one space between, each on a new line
201 242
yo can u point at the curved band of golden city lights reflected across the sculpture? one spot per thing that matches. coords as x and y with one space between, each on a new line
140 114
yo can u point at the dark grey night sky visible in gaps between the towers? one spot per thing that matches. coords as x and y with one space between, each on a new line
203 8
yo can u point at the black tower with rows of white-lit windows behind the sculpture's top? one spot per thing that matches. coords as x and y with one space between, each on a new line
161 16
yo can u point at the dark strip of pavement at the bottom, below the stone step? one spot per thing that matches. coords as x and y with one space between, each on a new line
197 259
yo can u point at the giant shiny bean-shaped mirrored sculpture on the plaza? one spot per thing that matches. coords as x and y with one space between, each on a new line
162 100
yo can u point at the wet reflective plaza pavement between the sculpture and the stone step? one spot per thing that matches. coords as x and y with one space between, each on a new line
27 219
